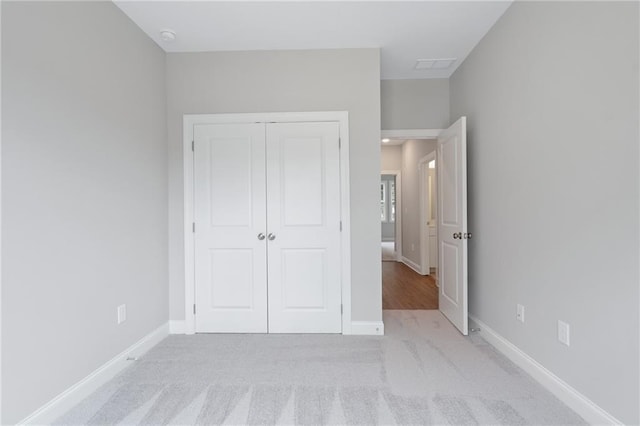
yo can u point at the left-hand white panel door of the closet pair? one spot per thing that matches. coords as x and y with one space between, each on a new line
230 252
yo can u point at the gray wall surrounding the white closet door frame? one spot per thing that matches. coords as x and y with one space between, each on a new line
271 81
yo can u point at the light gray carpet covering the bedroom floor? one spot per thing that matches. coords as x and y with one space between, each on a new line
421 372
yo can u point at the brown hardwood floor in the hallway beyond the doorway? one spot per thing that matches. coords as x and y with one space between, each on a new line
403 288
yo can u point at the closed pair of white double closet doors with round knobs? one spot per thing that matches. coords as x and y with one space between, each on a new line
267 228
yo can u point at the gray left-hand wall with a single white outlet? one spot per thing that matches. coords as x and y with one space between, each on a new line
84 202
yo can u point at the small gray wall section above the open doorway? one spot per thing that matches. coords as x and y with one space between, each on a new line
415 104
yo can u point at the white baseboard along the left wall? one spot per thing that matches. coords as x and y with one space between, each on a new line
76 393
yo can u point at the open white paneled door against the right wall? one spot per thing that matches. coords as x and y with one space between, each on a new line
452 223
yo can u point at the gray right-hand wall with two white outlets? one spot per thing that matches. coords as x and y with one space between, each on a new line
551 94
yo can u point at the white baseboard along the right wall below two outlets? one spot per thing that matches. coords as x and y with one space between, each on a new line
582 405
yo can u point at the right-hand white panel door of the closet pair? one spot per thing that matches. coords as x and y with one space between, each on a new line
303 225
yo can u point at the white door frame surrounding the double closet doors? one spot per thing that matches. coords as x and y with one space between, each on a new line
190 120
